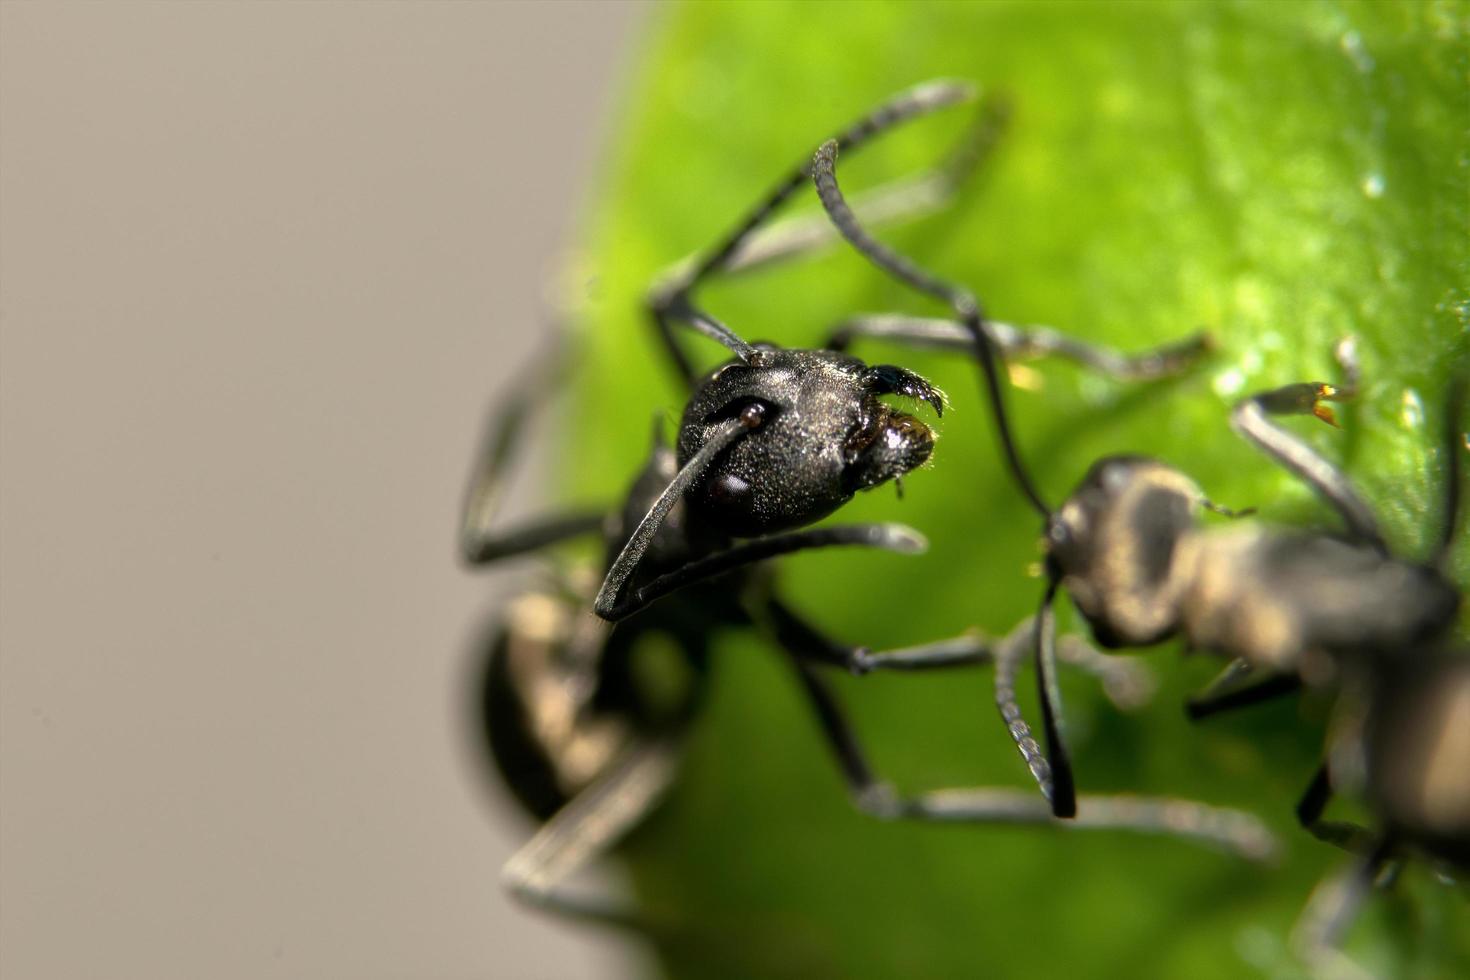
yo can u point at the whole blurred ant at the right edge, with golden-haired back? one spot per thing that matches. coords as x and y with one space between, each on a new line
1291 609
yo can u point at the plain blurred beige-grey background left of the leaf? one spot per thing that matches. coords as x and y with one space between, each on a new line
262 270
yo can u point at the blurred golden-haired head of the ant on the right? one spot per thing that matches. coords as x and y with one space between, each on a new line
1112 544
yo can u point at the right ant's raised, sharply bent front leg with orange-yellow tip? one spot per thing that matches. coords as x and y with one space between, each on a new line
1252 421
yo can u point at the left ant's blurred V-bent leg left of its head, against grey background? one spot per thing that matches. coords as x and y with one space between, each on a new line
481 543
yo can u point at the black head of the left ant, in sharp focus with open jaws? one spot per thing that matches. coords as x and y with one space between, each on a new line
820 434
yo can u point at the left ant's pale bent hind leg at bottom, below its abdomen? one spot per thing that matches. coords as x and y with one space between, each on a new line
587 828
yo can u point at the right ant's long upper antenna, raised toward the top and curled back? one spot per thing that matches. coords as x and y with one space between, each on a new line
965 305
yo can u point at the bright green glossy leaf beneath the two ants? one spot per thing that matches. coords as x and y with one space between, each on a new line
1281 174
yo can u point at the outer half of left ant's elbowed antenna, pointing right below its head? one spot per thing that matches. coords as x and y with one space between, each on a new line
890 537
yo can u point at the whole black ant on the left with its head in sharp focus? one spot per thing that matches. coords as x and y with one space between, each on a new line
770 444
